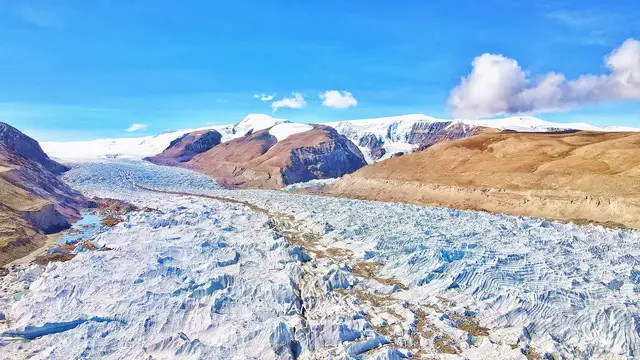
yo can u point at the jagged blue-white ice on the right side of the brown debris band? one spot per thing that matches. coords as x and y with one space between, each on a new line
565 287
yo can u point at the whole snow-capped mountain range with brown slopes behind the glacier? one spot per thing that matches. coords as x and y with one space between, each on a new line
516 165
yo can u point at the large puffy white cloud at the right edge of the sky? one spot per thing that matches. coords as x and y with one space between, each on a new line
498 85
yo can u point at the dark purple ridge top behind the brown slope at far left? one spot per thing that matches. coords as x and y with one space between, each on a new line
28 148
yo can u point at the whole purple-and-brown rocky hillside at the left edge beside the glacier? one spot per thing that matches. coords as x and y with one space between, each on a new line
33 201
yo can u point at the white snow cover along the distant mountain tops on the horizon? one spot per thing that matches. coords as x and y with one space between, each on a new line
392 133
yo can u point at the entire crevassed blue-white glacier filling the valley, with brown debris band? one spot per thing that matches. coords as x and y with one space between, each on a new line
255 274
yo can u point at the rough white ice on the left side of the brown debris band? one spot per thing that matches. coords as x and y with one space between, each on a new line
188 282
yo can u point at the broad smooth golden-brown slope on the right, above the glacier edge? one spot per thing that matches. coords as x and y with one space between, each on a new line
581 176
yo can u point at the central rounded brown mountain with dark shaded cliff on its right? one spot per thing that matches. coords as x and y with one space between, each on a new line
258 160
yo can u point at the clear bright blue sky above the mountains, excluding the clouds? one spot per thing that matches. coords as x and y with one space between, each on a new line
84 69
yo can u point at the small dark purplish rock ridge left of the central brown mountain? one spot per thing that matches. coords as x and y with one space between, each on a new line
186 147
